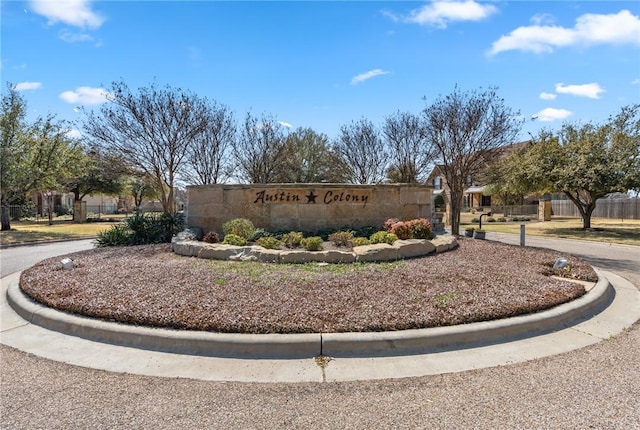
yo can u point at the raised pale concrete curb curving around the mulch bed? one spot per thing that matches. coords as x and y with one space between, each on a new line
296 346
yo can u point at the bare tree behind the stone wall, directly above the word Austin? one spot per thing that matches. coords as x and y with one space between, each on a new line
258 150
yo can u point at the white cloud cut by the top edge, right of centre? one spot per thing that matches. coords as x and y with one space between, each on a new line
439 13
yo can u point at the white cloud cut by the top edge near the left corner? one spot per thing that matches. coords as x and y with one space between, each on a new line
77 13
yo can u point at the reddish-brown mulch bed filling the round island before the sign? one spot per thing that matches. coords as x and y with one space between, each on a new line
149 285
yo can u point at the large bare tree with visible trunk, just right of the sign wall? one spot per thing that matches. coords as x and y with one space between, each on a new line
467 129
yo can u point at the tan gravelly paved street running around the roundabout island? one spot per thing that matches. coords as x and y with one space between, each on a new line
593 387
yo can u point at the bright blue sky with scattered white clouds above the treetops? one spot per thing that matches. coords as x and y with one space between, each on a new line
322 64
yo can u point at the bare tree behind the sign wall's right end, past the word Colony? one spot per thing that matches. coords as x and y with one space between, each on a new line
411 154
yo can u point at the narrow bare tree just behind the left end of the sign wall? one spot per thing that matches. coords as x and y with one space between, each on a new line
207 160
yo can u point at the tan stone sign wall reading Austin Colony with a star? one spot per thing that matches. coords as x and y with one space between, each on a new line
306 207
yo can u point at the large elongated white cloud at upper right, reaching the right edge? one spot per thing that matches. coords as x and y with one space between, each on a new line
590 29
